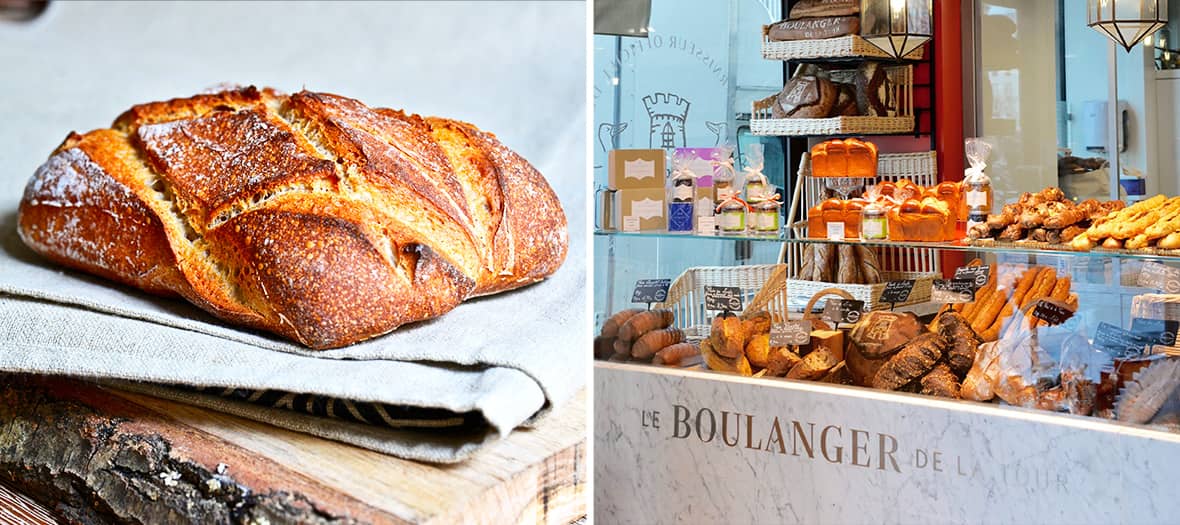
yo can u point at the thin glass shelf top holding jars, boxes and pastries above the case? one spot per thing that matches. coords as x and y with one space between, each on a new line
956 246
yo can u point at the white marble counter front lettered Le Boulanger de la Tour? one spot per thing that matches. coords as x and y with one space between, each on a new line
683 447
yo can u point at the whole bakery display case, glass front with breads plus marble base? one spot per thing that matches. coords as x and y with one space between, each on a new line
1018 375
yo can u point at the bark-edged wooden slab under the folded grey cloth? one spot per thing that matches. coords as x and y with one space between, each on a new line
93 455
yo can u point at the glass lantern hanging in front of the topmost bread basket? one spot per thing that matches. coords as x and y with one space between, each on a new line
897 28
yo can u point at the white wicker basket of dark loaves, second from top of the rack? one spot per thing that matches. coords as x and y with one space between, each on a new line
900 99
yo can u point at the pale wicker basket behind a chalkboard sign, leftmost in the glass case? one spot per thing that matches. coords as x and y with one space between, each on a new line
686 296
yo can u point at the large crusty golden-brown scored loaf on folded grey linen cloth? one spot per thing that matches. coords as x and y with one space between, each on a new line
311 215
